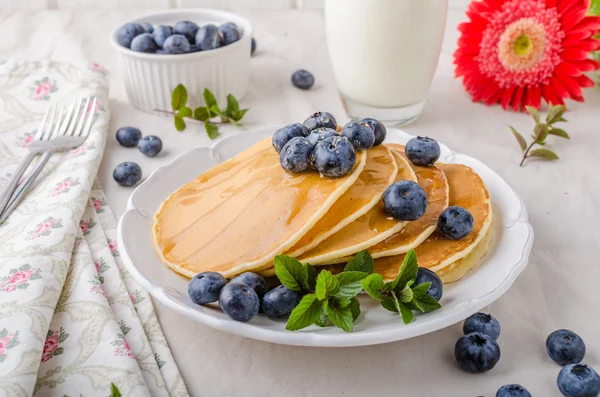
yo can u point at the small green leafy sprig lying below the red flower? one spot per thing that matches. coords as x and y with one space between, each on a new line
540 132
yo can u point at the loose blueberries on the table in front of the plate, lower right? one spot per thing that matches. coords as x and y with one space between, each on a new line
478 351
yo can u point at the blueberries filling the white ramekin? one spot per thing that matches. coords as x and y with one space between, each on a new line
184 37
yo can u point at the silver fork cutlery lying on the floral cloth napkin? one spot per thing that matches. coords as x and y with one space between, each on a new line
67 130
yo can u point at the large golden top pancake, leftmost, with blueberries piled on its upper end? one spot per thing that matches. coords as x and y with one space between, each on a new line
241 213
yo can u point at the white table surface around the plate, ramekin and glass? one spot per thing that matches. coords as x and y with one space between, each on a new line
559 288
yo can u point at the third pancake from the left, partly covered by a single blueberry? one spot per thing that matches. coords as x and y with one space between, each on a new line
366 231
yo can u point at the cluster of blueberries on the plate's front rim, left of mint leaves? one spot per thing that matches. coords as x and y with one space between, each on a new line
243 296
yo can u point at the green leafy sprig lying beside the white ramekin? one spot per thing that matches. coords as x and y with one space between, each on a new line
211 115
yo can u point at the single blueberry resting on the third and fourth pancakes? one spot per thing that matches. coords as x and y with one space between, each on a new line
405 201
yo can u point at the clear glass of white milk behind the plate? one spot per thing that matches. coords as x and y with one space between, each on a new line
384 54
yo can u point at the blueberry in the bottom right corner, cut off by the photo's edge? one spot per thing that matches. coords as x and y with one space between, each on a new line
578 380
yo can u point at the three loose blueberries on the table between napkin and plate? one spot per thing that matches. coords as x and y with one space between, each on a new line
130 173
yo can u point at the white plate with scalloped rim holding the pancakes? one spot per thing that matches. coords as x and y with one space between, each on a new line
506 259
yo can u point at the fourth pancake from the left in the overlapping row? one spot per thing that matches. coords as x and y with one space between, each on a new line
433 181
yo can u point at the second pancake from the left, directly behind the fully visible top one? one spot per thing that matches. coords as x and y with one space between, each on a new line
378 174
